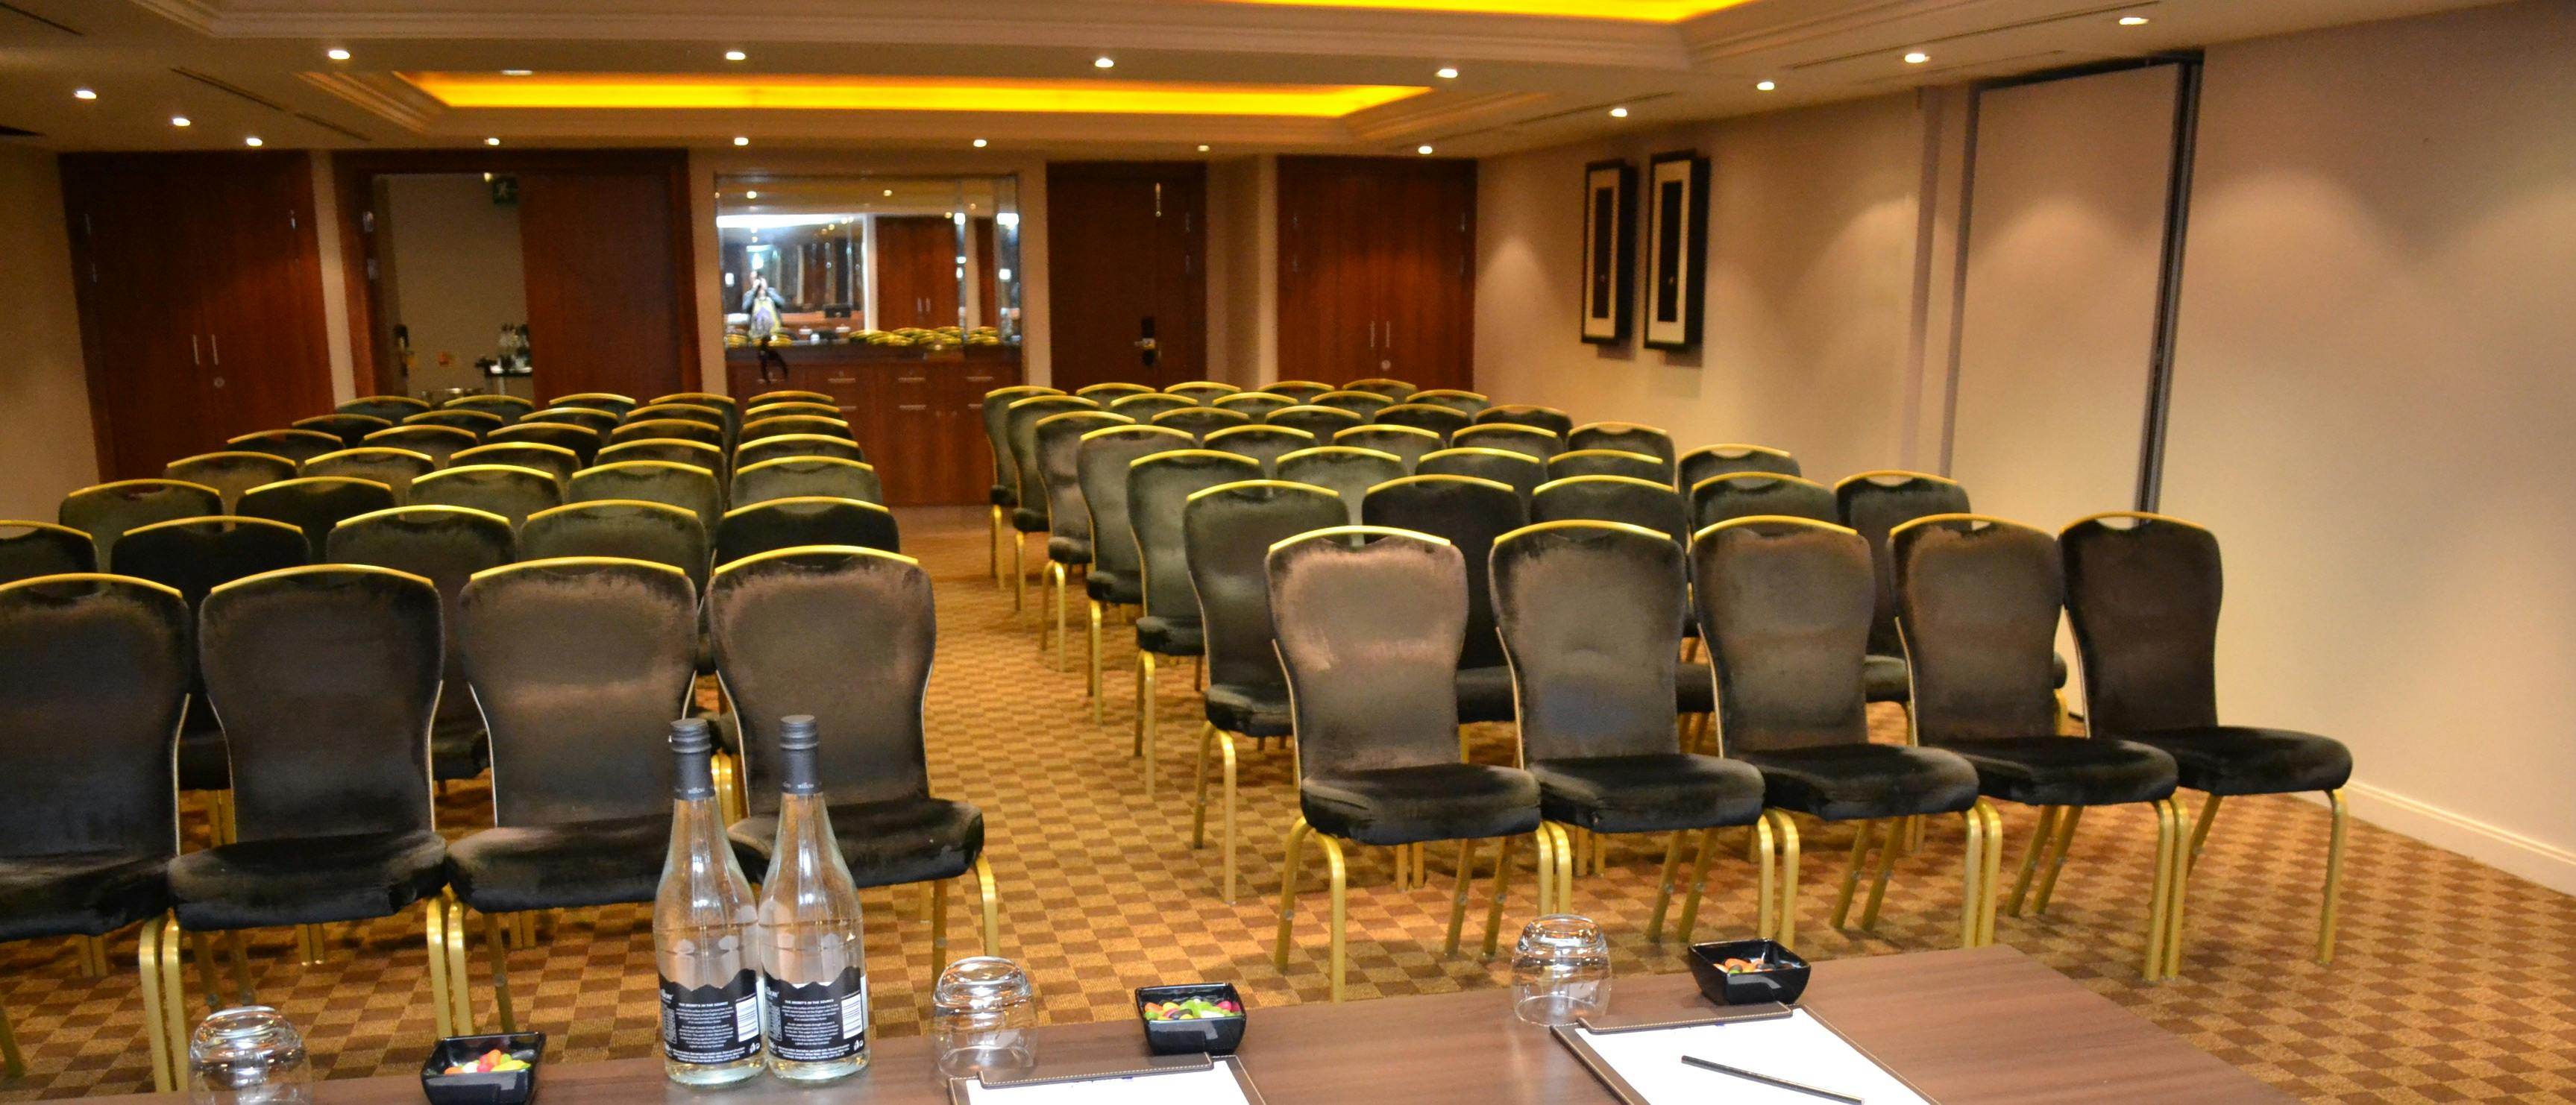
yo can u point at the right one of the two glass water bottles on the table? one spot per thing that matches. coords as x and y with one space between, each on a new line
815 983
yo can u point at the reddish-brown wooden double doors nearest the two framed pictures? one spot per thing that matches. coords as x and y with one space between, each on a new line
1377 269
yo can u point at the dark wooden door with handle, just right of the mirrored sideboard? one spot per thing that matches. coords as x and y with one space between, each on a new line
1127 254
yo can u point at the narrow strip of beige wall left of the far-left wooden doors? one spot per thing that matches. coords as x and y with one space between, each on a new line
45 401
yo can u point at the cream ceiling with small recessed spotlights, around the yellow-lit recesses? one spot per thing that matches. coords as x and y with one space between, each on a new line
241 68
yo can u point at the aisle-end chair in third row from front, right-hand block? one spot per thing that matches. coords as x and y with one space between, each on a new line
1158 491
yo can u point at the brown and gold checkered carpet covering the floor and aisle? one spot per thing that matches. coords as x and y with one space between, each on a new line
1101 892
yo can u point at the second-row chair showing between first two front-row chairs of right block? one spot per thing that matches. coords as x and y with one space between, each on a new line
1470 514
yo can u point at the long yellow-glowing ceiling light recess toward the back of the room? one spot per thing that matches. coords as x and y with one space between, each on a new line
900 94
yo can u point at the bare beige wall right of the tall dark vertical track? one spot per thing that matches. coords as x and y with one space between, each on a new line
2374 390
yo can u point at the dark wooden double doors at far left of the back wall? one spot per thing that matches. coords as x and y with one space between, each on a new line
200 285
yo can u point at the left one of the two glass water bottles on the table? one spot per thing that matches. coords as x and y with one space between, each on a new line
702 931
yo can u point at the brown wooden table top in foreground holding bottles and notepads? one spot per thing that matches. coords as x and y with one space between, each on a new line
1967 1026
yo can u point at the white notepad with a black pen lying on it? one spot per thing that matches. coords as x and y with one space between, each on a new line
1797 1047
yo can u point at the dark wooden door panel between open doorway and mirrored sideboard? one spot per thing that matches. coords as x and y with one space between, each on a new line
604 264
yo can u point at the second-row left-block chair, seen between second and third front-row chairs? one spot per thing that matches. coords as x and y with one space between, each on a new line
444 547
